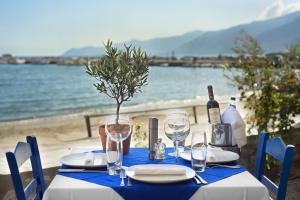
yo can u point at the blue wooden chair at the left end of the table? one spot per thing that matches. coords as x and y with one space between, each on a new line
15 159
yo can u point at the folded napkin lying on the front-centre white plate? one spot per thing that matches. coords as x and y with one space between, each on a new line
142 170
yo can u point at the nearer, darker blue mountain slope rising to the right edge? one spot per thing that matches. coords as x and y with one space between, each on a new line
273 35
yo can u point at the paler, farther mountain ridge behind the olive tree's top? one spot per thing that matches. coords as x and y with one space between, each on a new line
158 46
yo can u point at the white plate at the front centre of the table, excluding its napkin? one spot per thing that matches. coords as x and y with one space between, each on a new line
161 178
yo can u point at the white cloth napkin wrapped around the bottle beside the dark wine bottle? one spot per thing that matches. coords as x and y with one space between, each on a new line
233 117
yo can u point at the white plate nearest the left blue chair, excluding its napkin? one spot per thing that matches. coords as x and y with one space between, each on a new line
77 160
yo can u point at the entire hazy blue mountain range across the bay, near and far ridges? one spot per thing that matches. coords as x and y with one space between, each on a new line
273 34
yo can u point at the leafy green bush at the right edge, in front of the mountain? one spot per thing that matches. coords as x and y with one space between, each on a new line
269 85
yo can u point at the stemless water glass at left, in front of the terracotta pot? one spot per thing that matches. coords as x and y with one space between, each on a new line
113 156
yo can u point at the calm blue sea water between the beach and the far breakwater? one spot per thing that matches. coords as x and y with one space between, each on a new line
41 90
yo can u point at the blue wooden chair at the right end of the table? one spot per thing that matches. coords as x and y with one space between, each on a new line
276 148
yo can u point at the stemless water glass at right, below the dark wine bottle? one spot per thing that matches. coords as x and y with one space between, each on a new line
198 150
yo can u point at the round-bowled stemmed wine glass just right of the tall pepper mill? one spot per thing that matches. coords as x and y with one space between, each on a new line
177 128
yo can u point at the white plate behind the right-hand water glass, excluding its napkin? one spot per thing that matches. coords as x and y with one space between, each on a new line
221 156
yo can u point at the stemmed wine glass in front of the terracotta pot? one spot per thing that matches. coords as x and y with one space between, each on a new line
118 130
